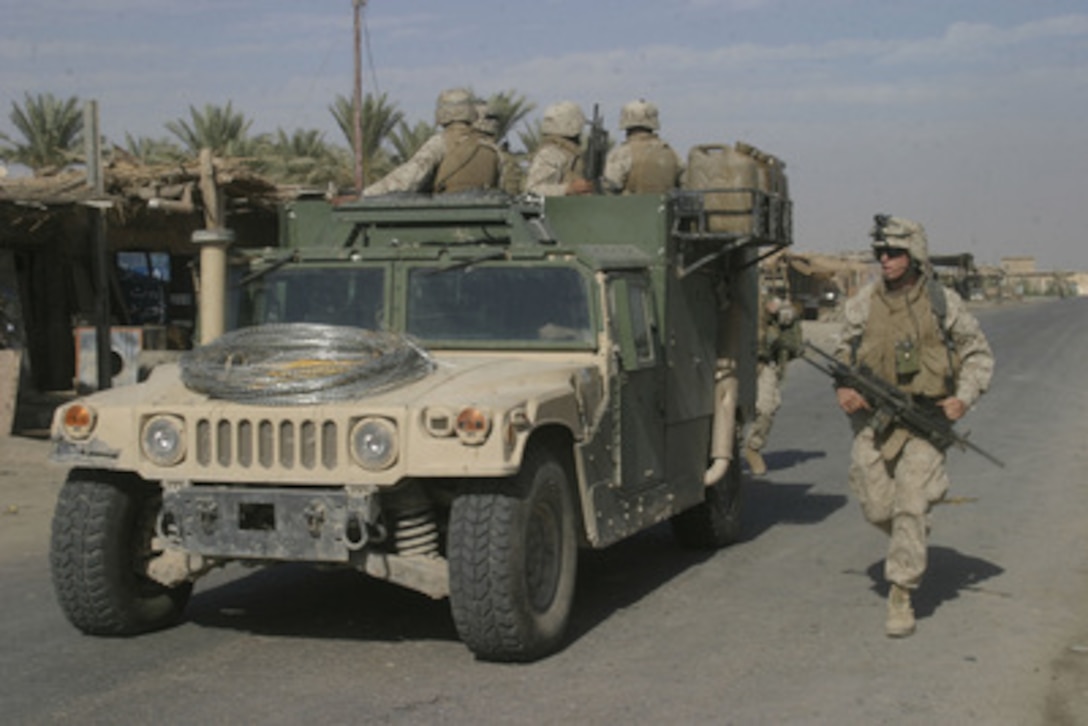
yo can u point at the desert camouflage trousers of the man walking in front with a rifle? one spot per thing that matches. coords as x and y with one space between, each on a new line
897 497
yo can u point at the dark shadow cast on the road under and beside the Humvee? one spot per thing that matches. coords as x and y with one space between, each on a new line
311 602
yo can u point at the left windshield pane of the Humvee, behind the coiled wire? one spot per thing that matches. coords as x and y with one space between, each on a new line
331 296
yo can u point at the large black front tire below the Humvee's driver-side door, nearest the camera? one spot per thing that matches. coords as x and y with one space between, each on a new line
513 560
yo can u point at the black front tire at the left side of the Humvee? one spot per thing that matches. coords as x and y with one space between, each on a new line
102 535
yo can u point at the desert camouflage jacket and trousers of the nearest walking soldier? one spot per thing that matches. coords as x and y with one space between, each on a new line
898 477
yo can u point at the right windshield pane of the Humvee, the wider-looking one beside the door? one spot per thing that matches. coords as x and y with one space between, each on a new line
488 304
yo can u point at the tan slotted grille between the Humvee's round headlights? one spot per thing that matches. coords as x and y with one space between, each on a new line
305 445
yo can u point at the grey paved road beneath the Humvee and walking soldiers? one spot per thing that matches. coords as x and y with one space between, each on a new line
786 627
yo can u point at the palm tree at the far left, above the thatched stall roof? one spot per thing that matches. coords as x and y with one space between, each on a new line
52 130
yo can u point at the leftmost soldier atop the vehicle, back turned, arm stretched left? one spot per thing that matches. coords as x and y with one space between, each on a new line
456 159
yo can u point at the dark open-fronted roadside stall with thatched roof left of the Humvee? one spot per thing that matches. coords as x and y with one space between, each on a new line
50 296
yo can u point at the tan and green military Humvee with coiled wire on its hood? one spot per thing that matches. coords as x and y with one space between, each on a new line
453 393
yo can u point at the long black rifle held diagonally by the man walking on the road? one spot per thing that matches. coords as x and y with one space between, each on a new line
893 407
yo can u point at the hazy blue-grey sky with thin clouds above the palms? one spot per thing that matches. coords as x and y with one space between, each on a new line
968 116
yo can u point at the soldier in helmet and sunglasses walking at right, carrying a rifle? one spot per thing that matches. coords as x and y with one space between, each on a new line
917 336
